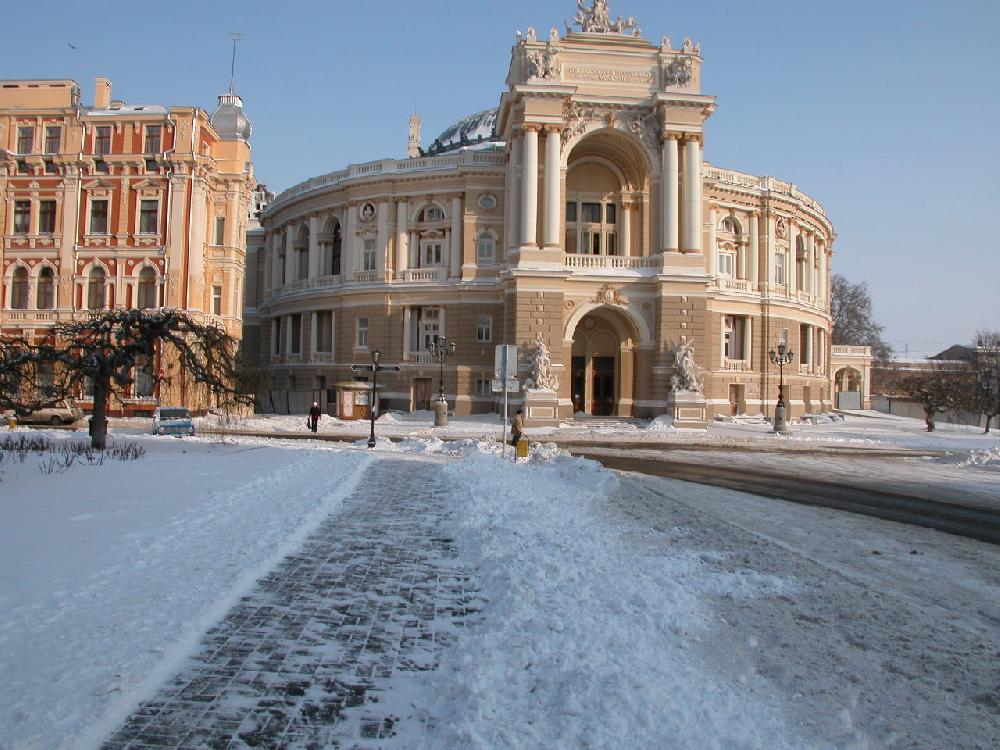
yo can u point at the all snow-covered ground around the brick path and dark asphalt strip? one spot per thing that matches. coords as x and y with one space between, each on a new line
616 610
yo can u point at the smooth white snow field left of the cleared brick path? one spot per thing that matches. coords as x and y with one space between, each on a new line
110 574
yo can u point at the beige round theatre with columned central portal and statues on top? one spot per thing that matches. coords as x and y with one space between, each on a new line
581 208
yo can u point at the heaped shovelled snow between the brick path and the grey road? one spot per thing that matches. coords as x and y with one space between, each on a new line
587 635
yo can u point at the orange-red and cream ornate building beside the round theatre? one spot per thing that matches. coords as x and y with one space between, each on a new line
117 205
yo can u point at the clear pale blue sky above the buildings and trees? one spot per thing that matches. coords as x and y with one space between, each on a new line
886 112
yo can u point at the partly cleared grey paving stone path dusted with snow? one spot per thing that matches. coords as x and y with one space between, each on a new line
301 661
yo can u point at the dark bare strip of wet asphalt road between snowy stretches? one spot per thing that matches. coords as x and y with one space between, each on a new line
858 497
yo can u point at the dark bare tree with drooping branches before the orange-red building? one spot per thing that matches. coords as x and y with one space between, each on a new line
106 347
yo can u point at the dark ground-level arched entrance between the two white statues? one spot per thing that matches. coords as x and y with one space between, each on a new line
603 364
